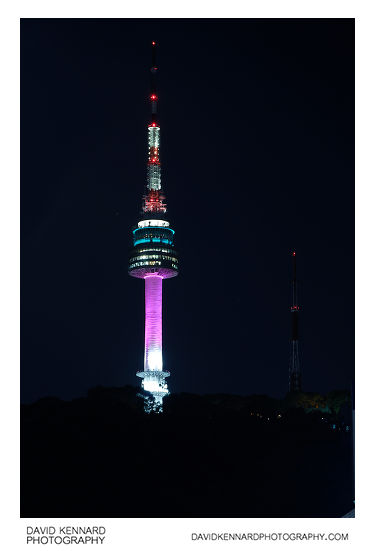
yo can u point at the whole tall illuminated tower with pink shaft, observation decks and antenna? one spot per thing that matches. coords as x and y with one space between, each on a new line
153 257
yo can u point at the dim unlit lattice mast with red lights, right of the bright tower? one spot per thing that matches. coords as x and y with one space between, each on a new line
294 367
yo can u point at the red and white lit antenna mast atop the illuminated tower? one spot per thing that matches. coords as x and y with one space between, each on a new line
153 201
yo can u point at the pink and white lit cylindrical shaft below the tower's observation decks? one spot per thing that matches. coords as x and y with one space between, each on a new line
153 323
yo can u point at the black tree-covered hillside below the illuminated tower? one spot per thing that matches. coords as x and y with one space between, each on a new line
214 455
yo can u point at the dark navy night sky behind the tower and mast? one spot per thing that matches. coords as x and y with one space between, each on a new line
257 150
